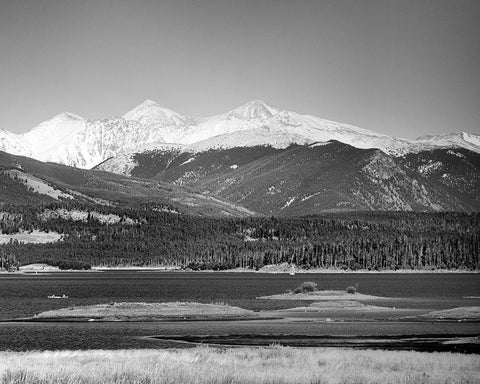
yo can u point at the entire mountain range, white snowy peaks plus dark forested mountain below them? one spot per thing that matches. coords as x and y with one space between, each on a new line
264 159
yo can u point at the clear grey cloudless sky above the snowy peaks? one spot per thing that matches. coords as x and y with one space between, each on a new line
399 67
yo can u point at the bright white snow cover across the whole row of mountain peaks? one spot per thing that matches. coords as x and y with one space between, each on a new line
72 140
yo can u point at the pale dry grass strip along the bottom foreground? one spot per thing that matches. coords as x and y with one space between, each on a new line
238 365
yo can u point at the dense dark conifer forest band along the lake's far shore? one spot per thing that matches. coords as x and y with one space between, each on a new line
370 241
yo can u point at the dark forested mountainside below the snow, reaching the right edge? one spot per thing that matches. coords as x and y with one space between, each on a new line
317 178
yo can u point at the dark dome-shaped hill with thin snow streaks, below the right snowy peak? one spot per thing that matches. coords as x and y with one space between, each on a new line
327 177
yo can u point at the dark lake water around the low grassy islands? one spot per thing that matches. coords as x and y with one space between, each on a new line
26 295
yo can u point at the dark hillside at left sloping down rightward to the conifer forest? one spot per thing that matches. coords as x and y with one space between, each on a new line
105 188
